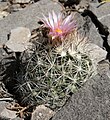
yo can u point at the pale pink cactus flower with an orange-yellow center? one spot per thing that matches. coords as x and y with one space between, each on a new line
59 27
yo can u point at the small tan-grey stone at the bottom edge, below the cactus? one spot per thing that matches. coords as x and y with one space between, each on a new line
42 113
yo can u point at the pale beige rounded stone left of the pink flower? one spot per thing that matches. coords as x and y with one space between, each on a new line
19 39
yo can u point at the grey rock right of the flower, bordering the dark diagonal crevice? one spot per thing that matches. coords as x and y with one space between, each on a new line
87 29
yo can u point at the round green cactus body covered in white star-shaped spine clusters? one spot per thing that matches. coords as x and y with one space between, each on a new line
50 77
